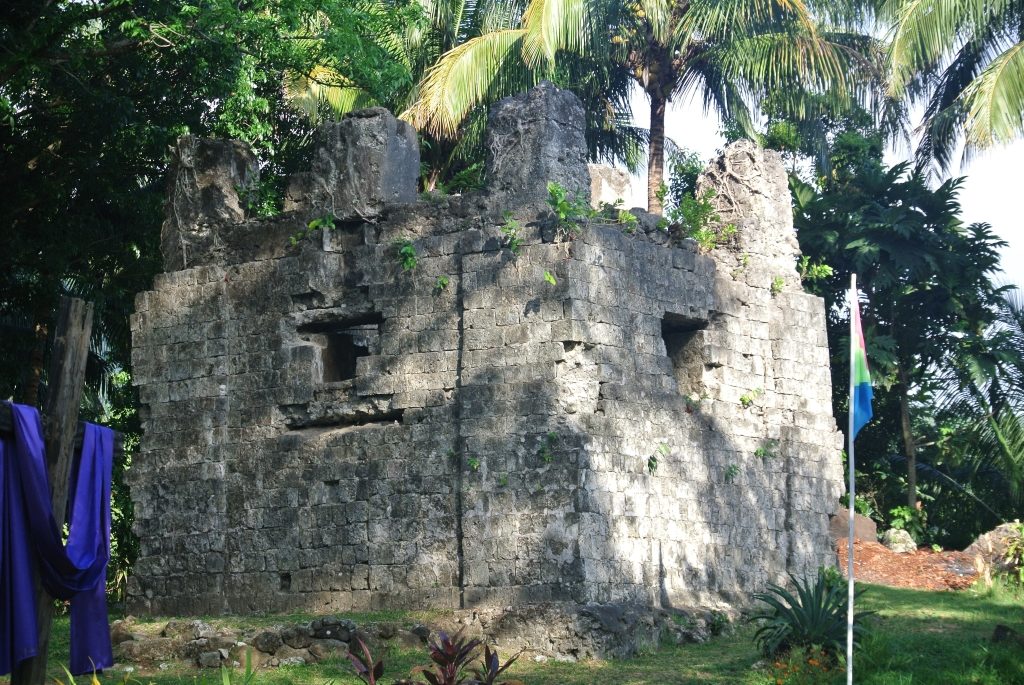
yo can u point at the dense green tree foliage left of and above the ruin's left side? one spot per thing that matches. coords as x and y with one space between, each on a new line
93 95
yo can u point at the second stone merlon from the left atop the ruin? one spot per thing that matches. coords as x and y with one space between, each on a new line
365 162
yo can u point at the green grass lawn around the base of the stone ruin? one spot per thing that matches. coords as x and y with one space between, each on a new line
919 638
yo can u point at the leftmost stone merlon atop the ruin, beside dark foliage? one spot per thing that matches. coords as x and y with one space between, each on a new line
203 193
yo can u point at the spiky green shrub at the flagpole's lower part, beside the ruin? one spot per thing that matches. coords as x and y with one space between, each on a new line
813 617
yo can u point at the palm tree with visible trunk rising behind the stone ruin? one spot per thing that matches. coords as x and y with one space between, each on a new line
733 53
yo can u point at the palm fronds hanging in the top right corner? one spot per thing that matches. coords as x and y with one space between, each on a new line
965 60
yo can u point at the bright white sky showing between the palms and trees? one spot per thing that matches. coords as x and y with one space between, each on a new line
993 192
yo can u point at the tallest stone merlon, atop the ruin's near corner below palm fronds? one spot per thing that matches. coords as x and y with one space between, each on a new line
535 139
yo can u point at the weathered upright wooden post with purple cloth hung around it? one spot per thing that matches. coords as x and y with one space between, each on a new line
67 373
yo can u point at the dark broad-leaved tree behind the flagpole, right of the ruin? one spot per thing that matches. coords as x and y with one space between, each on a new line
926 277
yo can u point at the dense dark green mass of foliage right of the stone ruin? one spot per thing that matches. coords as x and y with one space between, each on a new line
941 333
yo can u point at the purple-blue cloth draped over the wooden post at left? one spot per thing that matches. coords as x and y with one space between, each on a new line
76 572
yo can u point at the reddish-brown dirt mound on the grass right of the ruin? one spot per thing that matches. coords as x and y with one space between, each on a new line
923 570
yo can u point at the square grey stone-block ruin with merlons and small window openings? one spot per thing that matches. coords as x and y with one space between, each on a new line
326 432
